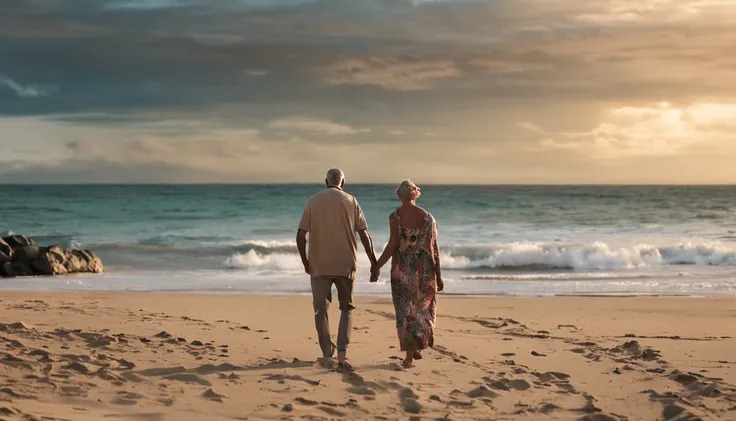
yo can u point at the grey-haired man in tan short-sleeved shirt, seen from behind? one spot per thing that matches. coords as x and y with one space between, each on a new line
331 218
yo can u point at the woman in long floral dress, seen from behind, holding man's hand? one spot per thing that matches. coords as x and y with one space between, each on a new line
415 272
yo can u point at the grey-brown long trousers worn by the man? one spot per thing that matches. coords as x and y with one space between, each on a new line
321 299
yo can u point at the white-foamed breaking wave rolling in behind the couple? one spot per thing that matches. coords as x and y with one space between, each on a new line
275 255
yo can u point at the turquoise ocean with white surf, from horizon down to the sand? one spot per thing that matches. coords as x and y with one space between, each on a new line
520 240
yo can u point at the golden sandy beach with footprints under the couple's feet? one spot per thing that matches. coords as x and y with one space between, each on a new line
75 356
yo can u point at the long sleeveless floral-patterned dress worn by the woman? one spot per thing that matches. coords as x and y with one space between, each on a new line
414 283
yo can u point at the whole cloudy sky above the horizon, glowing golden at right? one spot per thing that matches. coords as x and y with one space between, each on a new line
442 91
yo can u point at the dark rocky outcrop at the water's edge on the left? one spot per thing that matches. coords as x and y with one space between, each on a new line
20 256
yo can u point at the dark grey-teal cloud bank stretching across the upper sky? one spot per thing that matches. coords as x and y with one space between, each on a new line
97 55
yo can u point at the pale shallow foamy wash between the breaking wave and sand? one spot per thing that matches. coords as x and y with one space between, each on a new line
701 284
